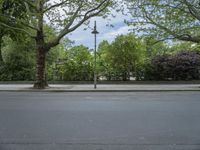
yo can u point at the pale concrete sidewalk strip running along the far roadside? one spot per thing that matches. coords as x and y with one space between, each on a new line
102 88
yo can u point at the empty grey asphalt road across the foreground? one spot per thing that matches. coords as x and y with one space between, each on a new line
100 121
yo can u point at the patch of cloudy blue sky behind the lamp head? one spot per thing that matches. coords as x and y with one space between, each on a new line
81 36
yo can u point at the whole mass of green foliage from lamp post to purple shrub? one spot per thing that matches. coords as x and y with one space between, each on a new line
121 57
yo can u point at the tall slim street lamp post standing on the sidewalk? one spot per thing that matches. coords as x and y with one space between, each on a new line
95 32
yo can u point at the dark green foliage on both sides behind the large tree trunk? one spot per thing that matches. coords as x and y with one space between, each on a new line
19 58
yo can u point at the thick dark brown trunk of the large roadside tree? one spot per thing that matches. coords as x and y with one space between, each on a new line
41 82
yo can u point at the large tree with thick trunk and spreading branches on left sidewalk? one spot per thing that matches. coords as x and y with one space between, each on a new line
63 15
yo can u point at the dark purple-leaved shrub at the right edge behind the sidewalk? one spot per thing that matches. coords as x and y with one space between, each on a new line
184 65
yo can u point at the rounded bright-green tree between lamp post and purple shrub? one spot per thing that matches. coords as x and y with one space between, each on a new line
125 54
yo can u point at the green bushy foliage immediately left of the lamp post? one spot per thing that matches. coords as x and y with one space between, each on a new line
77 64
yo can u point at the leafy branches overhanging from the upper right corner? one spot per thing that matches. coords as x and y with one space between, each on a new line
167 19
